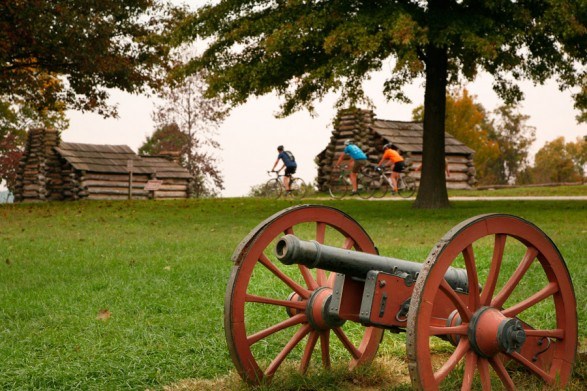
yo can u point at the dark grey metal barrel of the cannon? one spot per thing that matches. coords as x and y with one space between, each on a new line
290 249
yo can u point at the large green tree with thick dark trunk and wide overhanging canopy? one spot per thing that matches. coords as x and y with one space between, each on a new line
304 49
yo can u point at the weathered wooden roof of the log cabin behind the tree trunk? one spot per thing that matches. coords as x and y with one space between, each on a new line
408 136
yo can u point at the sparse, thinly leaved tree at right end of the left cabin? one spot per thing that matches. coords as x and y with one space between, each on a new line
187 123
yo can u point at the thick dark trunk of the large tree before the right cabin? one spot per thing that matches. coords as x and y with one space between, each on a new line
432 193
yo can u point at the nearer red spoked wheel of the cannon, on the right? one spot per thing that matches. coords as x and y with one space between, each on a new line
517 318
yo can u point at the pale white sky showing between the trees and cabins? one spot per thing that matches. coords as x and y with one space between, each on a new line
250 135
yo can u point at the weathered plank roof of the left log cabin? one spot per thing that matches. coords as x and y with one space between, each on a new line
115 159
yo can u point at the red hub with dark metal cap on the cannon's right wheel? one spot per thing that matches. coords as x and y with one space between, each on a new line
490 332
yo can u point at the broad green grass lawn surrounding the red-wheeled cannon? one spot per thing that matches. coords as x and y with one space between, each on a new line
160 270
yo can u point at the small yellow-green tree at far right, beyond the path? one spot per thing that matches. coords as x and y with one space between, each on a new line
554 163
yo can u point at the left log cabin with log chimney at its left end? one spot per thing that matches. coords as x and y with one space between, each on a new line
54 170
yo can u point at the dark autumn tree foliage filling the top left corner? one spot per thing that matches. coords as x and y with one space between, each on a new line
83 48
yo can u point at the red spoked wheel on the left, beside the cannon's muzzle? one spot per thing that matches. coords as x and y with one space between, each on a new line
274 314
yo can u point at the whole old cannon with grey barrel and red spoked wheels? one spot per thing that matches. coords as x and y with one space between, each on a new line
309 289
